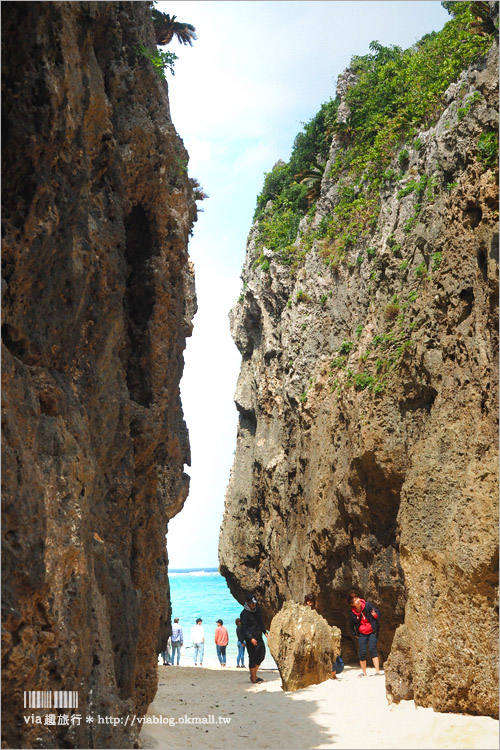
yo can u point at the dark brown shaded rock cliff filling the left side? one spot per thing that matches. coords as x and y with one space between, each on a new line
98 297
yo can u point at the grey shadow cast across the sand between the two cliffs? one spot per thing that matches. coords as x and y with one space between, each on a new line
261 716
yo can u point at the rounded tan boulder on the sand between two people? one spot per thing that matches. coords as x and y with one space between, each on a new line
303 646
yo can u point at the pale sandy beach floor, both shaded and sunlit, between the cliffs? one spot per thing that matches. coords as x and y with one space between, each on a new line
345 713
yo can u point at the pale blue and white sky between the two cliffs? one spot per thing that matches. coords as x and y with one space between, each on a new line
259 70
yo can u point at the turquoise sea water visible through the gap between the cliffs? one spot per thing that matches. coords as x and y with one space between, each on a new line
203 592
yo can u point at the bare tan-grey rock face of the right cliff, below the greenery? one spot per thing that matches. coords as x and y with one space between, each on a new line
390 490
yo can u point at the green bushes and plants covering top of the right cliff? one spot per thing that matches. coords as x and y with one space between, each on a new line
396 94
